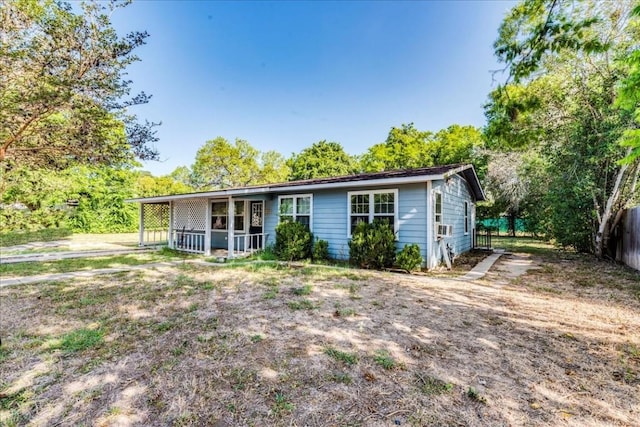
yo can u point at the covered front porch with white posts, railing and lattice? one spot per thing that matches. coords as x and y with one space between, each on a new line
205 225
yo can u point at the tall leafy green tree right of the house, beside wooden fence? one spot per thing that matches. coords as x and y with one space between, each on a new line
567 59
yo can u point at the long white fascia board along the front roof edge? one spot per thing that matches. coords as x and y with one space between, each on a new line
291 188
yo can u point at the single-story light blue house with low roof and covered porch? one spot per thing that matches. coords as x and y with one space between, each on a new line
433 207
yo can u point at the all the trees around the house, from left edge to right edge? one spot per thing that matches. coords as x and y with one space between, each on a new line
560 148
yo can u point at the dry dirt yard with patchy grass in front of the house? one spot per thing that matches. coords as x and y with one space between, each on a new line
266 345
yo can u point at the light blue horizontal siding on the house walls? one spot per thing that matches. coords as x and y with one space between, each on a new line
415 217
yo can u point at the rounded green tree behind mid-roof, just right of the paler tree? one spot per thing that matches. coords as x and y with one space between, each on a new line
321 160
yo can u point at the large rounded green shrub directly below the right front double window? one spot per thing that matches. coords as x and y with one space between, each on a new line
372 245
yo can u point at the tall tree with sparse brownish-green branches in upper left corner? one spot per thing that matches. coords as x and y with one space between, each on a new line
63 89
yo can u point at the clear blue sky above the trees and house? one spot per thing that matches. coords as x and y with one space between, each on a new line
283 75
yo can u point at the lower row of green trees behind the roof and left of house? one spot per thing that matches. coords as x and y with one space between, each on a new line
91 198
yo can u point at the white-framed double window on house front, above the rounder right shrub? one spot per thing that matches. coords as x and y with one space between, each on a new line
369 206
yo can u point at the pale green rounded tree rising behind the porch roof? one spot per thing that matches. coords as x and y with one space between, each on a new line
220 164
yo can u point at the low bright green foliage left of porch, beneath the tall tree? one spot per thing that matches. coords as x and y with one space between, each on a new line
83 198
